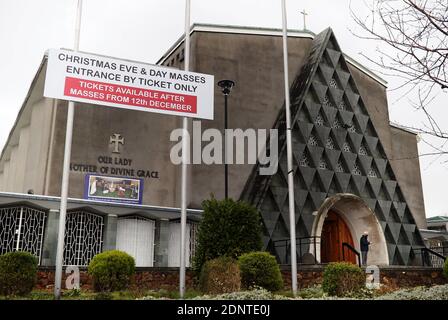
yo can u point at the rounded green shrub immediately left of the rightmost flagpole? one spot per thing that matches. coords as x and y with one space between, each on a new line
260 269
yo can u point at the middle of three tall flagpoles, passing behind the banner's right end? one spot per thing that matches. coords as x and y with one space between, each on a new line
185 156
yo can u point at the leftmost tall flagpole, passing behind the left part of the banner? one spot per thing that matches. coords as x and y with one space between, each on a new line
66 172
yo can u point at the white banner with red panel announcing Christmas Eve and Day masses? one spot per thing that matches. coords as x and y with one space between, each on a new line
126 84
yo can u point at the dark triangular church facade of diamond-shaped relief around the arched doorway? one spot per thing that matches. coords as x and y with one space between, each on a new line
335 150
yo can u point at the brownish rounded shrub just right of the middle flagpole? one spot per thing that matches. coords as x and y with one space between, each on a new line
220 275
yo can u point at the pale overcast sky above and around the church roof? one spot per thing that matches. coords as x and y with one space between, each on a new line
143 30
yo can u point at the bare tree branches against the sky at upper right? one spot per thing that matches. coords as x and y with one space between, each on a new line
416 36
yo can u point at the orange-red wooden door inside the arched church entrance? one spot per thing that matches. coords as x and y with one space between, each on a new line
335 232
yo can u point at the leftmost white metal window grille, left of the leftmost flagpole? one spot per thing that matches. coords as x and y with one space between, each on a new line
22 229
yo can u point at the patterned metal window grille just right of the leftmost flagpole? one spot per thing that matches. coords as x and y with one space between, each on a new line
83 237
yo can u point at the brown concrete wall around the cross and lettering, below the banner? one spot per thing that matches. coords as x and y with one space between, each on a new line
146 143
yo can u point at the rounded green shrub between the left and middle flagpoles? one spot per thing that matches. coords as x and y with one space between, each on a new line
111 270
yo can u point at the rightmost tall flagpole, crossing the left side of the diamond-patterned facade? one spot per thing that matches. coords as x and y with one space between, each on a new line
292 218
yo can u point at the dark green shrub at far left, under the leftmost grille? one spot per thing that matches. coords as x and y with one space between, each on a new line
18 273
